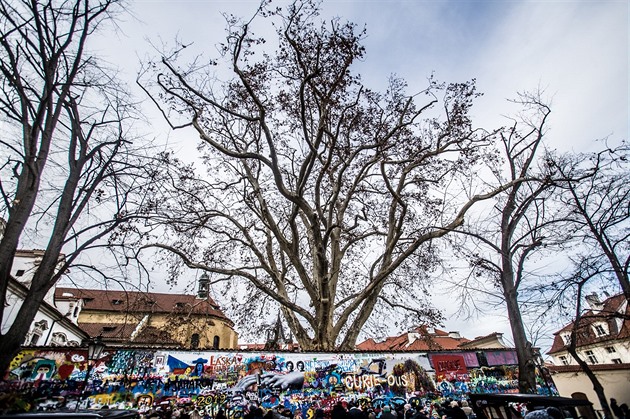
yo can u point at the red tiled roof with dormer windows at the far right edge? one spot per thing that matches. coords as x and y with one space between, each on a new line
585 333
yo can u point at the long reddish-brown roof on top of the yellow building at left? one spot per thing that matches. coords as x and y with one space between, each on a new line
141 302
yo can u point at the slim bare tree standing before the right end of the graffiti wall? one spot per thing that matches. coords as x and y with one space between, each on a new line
500 244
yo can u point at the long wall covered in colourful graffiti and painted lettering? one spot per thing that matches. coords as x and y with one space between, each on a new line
234 380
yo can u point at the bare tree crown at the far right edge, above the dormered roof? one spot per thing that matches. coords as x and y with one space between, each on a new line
597 192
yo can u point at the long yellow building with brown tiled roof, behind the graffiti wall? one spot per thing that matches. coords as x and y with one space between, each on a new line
131 318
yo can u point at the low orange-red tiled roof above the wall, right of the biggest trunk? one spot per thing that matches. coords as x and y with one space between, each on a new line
437 340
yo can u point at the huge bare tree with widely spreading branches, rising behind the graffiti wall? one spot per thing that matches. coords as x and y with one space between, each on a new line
323 198
